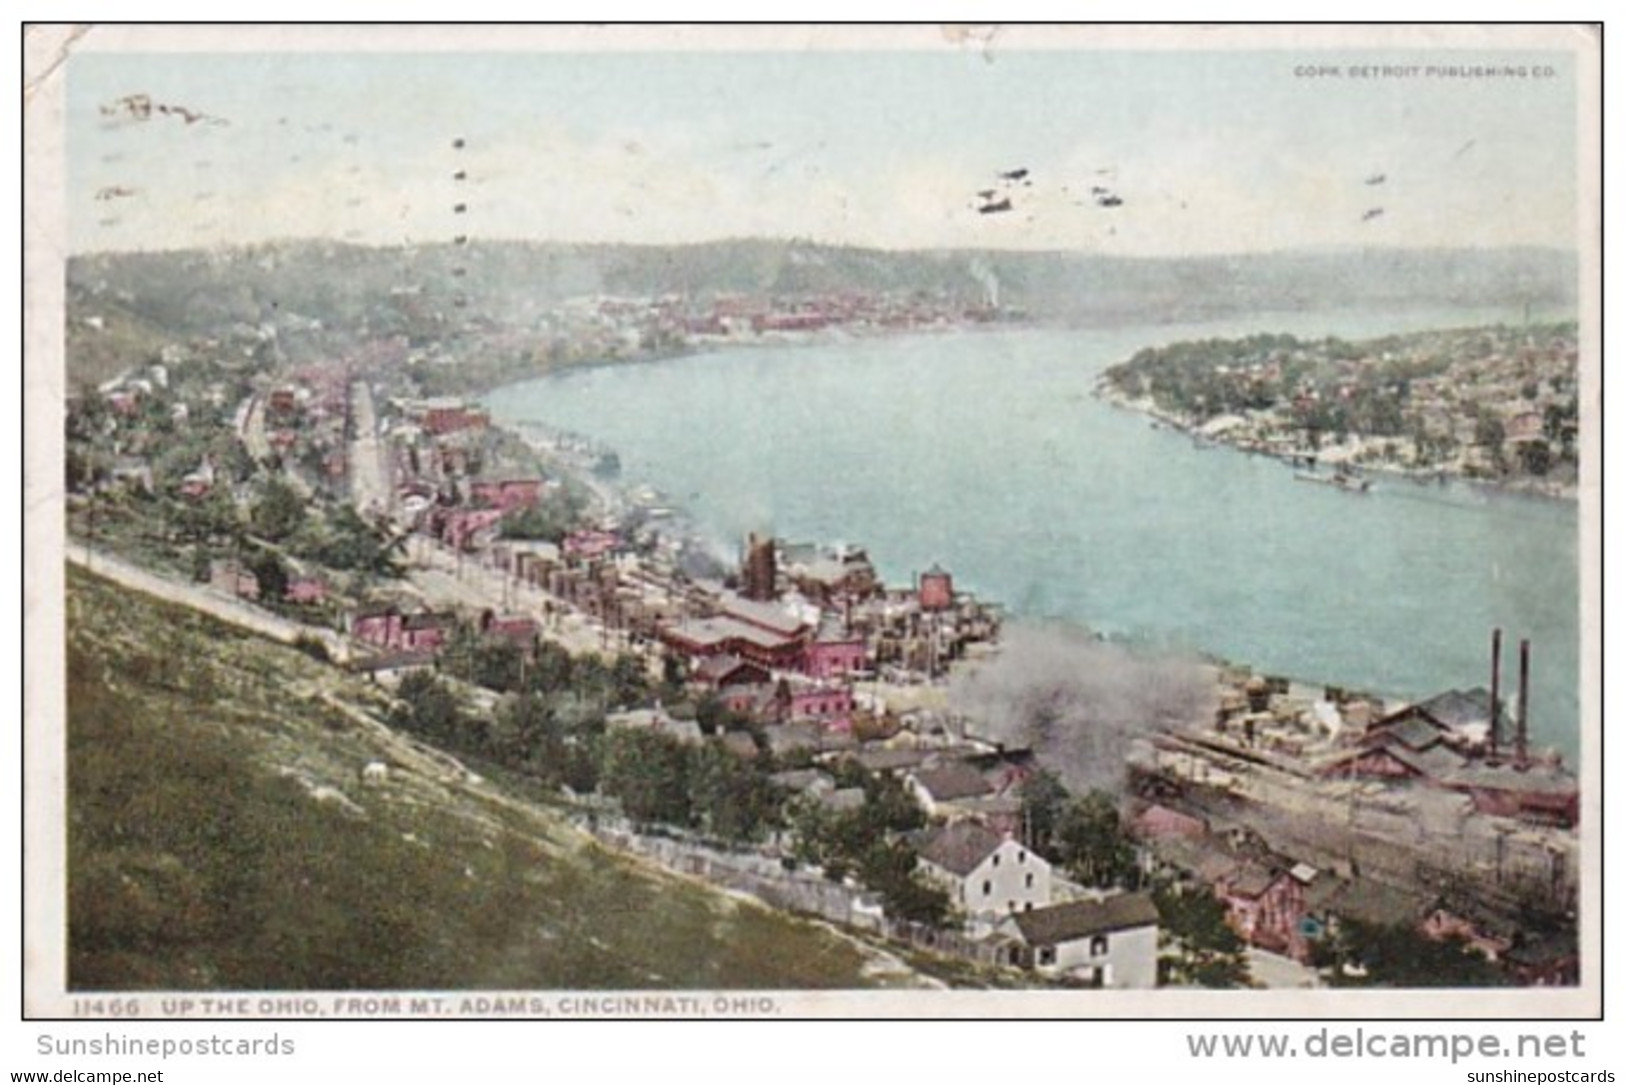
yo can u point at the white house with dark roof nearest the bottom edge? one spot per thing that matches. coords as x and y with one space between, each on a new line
1109 943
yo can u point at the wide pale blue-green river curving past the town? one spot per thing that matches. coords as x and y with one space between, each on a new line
986 452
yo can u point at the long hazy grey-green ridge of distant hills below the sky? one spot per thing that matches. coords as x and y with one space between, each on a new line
196 293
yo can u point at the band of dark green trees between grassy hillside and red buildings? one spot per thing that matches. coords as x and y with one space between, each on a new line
553 730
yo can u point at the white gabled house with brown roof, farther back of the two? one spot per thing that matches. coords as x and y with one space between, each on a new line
986 873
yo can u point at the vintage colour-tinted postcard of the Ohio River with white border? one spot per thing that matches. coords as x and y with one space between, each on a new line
737 522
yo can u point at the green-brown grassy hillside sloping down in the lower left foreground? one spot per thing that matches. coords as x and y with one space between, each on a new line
219 837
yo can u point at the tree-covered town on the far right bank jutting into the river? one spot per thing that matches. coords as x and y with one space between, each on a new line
1496 405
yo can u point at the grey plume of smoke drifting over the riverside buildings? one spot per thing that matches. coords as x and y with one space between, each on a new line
1080 702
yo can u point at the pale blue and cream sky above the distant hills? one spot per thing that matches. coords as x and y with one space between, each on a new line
1216 150
